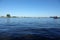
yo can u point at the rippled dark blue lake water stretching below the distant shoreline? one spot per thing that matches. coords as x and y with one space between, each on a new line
19 27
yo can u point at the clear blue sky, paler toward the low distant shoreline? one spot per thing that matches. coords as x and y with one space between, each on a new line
33 8
